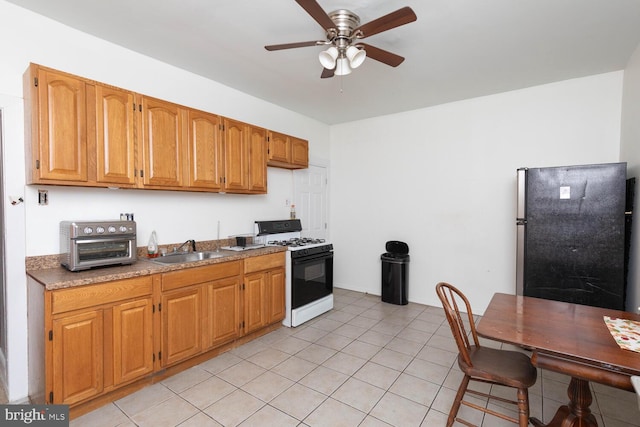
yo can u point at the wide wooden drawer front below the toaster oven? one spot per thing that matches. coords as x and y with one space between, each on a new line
92 295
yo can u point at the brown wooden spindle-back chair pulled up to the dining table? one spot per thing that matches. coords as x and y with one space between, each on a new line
484 364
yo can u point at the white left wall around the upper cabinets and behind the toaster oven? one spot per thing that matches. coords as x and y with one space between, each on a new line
176 216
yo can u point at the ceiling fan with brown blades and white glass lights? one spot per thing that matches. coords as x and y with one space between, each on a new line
343 32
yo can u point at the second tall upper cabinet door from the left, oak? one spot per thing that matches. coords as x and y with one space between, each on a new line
115 145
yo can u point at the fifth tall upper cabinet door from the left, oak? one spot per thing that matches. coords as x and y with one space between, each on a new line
236 153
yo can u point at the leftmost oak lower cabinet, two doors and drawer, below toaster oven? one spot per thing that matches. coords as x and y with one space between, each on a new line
100 337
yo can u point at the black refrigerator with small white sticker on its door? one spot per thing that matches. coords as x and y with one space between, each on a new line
571 228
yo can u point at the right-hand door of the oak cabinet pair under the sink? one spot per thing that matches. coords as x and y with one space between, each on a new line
223 297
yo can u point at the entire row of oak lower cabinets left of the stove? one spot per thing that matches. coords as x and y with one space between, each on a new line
100 338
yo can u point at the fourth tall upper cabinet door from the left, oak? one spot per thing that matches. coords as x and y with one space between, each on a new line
205 151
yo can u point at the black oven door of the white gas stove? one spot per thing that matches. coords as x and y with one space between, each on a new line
311 278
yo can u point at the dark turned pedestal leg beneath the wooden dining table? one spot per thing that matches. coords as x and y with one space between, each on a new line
577 412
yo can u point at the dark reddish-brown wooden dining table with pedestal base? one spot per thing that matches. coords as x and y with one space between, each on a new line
567 338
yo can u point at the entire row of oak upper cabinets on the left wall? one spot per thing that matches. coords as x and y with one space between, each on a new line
85 133
